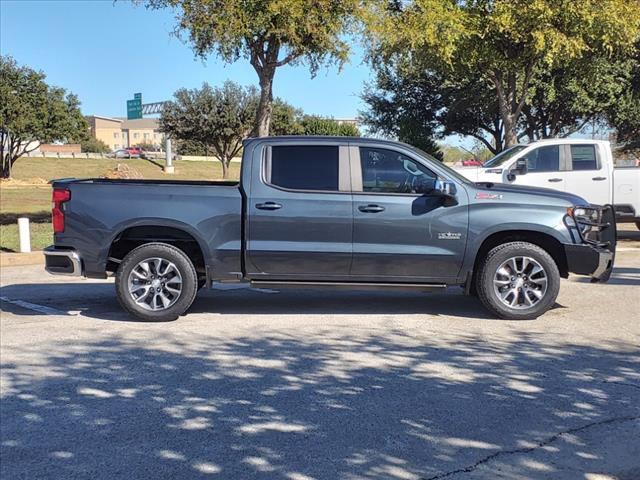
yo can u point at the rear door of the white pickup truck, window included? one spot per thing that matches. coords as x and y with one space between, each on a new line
588 175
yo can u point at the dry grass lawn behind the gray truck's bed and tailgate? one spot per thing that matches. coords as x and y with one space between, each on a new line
34 201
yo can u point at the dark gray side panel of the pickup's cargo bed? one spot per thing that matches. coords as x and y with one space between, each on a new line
103 211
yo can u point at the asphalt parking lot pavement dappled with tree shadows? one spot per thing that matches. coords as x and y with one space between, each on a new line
306 385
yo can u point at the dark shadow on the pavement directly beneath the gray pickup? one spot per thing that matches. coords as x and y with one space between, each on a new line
98 300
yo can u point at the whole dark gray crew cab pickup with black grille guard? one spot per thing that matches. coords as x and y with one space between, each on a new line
312 212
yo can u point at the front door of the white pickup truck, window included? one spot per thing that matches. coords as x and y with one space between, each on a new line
544 168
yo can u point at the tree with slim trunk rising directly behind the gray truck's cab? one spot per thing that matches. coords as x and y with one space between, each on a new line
270 34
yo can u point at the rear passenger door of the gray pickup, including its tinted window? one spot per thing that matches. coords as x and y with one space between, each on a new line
300 222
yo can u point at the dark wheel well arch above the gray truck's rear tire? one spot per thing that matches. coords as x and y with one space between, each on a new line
133 237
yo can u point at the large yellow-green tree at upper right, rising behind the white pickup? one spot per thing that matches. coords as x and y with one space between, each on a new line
508 48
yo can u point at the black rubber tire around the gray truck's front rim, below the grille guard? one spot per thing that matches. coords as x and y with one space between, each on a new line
489 267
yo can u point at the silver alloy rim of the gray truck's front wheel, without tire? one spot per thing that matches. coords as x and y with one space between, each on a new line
520 282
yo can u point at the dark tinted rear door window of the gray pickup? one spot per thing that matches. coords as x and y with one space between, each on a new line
305 167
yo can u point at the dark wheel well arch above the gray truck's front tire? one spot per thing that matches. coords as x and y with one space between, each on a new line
552 246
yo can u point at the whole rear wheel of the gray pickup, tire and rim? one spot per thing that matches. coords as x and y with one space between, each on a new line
156 282
